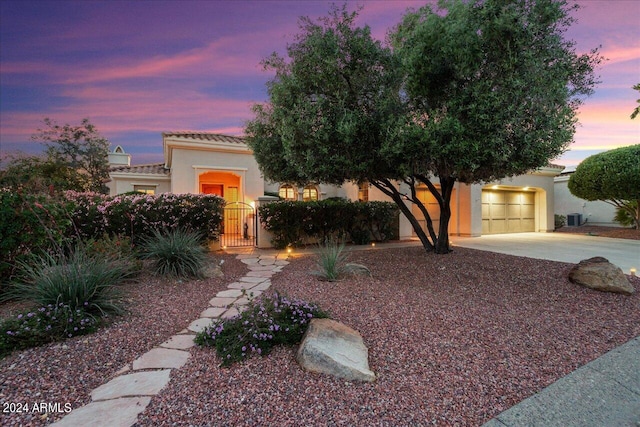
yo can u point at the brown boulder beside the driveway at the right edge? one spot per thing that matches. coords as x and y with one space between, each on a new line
599 274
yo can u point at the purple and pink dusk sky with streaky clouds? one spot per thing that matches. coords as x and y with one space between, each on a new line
138 68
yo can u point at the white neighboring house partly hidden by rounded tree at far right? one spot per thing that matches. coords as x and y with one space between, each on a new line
592 213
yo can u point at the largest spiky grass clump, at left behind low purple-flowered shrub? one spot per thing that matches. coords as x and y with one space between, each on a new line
78 280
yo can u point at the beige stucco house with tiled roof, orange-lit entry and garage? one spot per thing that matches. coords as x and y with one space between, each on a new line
209 163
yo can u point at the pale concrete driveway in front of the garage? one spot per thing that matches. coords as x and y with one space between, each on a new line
563 247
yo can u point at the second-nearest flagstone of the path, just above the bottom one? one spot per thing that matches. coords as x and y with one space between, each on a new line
139 384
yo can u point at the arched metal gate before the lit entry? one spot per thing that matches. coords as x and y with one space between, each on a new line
239 225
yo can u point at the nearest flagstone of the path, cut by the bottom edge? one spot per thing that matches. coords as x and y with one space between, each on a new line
121 412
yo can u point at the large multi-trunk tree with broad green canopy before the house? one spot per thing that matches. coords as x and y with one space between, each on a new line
473 92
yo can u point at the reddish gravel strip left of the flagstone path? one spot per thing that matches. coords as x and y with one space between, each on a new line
67 372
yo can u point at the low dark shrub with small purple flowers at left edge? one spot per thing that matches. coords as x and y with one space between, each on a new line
46 324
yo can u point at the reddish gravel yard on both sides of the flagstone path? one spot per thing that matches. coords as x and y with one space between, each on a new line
454 340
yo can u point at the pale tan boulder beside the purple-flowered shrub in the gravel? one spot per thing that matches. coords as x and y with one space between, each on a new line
329 347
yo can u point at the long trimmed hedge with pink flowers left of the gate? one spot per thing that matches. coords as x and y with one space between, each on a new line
137 215
